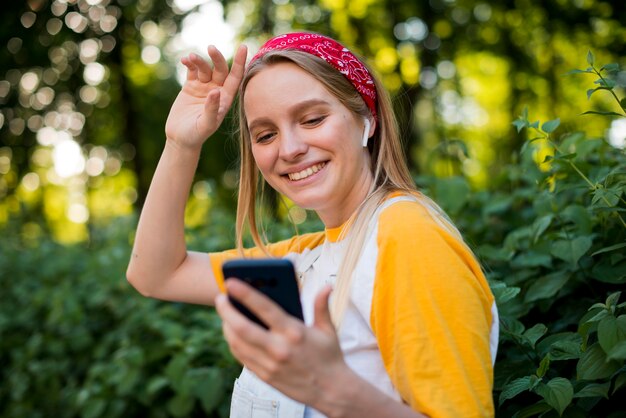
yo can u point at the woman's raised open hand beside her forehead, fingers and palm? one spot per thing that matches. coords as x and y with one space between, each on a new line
205 98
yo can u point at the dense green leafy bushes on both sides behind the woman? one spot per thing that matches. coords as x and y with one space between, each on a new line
77 341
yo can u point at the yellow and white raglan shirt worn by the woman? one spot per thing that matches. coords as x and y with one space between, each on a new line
421 324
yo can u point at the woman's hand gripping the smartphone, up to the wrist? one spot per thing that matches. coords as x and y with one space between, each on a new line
302 362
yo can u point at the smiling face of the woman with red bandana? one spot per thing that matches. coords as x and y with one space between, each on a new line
306 143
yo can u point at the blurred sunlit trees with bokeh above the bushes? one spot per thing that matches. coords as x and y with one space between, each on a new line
86 86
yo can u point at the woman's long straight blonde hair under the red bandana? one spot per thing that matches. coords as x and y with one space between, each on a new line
389 167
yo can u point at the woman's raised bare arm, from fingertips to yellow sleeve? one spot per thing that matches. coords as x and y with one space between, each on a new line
160 265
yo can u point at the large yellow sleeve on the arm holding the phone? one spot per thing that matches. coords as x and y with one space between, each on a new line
431 314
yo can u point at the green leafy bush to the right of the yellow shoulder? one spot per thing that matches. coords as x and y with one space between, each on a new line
551 238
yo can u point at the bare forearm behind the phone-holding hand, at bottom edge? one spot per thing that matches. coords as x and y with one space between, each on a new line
349 395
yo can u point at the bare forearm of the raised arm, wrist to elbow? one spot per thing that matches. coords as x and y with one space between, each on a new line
159 247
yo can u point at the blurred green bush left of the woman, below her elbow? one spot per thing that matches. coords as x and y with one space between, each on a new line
77 341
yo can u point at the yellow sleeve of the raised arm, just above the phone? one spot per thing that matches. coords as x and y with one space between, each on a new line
296 244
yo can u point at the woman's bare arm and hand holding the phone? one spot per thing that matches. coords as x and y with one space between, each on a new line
304 363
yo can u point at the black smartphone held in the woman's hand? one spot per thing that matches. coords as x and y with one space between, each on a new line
274 277
